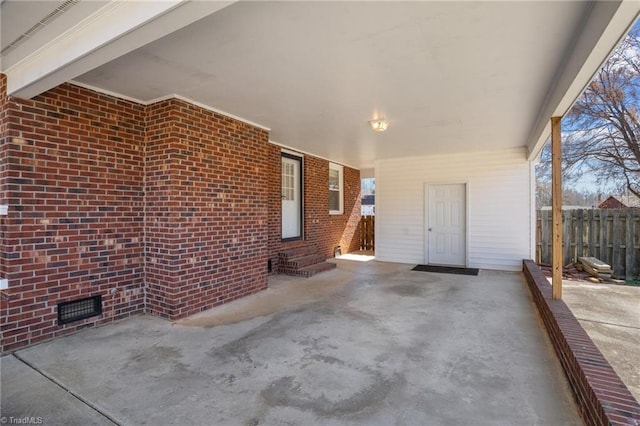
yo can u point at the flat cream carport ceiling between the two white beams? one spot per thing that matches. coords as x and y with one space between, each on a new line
448 76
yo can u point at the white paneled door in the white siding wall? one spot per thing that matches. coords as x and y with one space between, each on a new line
446 219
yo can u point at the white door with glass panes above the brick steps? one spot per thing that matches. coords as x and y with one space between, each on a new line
291 190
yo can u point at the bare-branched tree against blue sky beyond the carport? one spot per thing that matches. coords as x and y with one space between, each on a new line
602 130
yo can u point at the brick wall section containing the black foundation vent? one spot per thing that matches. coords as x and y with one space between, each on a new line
73 177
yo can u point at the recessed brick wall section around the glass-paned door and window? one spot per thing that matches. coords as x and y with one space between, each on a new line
320 228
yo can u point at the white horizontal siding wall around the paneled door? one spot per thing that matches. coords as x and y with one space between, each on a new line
498 206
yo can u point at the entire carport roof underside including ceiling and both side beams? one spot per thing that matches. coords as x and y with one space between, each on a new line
449 76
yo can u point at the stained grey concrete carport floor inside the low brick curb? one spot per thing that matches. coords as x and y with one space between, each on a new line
368 343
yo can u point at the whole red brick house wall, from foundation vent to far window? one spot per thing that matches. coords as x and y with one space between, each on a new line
168 209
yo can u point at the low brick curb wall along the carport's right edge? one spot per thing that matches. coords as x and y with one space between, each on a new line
602 397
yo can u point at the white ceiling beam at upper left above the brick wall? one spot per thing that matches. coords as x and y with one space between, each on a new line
118 28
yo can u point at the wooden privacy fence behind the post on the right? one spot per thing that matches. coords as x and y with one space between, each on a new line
611 235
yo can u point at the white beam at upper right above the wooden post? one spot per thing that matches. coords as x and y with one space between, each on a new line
604 27
